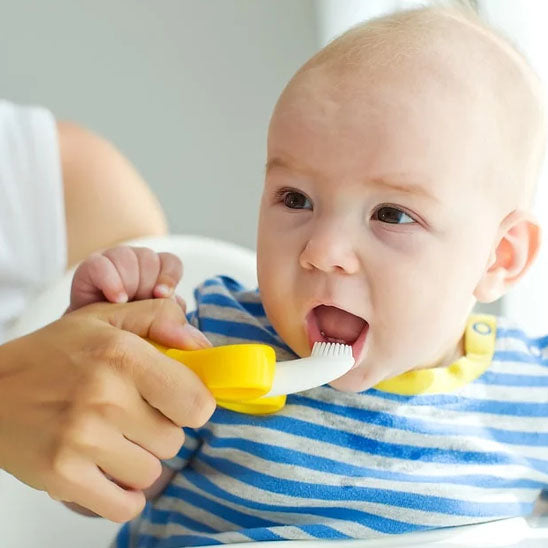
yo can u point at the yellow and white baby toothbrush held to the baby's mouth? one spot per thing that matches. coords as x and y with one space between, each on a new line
246 377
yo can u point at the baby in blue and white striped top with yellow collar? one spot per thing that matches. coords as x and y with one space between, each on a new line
402 161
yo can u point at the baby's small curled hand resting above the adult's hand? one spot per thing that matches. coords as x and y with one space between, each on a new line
122 274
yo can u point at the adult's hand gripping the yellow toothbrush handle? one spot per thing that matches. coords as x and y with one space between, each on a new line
88 408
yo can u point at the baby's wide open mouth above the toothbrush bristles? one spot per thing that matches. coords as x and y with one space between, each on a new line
331 324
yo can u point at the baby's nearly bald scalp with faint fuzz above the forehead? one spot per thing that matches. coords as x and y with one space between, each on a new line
453 50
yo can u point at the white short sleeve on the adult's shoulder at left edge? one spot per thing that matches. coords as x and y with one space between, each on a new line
33 250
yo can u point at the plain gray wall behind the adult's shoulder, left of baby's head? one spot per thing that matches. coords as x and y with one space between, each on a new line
183 87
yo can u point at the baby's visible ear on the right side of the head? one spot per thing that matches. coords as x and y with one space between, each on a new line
517 244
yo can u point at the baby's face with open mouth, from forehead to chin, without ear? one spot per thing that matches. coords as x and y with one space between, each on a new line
375 226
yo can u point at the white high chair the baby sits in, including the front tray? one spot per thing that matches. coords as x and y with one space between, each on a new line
28 518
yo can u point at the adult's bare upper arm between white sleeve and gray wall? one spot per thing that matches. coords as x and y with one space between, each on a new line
106 199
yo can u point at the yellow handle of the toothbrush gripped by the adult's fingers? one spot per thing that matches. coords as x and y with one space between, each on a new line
238 373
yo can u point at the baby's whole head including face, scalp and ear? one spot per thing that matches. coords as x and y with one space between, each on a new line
401 164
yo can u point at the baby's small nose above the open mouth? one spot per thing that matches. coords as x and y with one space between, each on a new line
330 251
